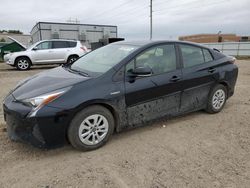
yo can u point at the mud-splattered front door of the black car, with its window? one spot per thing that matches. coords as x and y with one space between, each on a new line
158 95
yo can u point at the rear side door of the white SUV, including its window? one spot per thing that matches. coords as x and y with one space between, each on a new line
60 50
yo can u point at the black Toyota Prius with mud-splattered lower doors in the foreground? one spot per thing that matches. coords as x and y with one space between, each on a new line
119 86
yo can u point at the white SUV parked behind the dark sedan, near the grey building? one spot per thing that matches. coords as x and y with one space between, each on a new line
46 52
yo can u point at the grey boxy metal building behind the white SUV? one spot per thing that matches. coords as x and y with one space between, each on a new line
86 33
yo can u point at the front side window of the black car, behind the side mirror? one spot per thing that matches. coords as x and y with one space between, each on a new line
160 59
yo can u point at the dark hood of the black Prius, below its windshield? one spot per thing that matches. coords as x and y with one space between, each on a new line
46 82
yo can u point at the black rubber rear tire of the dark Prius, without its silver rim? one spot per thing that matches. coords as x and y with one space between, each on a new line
210 107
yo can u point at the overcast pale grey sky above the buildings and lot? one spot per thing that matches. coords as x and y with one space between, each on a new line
171 18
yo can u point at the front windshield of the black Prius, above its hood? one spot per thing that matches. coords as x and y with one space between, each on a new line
101 60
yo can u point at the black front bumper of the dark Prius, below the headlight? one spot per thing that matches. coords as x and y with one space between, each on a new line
46 130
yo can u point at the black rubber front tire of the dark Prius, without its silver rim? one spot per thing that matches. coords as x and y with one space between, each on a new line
74 127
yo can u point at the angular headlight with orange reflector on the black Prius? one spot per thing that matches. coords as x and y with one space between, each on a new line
37 102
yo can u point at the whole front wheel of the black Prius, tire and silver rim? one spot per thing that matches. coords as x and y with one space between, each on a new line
91 128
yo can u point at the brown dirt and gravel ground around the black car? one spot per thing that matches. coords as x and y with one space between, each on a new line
197 150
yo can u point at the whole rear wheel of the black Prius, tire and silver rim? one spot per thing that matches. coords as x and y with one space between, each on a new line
217 99
